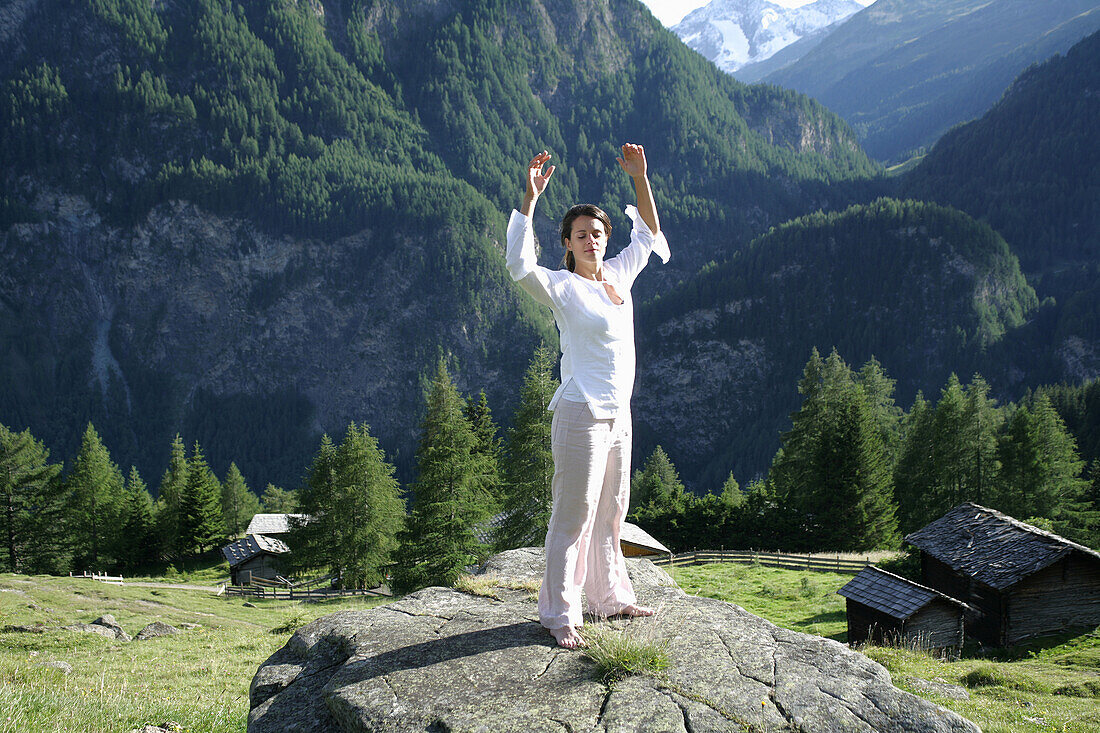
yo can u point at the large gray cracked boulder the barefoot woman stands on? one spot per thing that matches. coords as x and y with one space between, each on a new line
444 661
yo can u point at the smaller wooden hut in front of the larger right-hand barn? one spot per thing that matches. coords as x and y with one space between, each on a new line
885 608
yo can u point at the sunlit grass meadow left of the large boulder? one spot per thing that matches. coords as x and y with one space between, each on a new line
199 680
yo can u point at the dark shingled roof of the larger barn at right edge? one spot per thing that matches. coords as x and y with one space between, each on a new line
992 548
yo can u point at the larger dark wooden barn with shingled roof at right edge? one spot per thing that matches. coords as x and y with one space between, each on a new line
1022 581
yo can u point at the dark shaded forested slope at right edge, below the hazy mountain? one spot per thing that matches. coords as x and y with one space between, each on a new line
1031 166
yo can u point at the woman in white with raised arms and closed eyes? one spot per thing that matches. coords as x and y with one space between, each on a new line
591 430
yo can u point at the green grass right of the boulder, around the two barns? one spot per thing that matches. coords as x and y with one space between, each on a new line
1052 685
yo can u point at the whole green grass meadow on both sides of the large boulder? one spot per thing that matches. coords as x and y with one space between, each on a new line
201 679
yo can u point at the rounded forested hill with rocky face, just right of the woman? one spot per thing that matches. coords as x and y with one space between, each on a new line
923 289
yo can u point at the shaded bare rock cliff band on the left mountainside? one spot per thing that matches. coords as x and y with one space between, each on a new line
190 322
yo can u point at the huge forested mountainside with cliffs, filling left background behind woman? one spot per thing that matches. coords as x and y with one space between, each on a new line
254 222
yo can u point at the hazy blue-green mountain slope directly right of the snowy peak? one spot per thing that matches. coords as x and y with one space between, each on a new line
904 72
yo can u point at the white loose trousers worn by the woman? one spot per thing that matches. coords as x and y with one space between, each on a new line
591 496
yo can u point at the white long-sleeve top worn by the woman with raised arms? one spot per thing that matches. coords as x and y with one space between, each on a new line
598 354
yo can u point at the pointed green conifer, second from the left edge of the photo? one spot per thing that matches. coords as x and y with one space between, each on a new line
95 489
